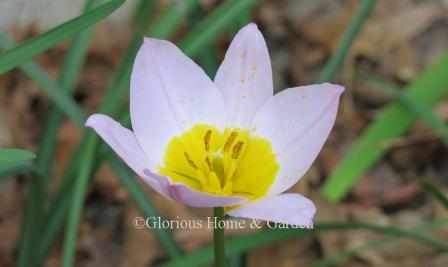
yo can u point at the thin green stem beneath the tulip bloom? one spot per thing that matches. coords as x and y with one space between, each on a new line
218 238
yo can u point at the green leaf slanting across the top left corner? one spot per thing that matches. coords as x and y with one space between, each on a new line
14 57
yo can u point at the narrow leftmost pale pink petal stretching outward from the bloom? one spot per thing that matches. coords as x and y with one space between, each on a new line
124 143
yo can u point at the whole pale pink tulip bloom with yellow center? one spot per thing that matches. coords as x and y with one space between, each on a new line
225 143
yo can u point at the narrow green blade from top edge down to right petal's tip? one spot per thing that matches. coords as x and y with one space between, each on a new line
333 64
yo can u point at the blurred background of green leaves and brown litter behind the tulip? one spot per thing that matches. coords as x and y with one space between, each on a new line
380 183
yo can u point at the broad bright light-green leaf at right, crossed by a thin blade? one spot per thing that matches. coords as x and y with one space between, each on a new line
396 119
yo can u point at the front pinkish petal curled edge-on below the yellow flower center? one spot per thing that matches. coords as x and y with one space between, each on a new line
184 194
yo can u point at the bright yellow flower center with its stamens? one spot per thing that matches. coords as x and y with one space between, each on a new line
231 163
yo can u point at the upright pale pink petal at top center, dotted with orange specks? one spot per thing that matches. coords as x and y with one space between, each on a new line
245 76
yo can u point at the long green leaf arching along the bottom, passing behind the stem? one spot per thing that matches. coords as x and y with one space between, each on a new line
248 242
